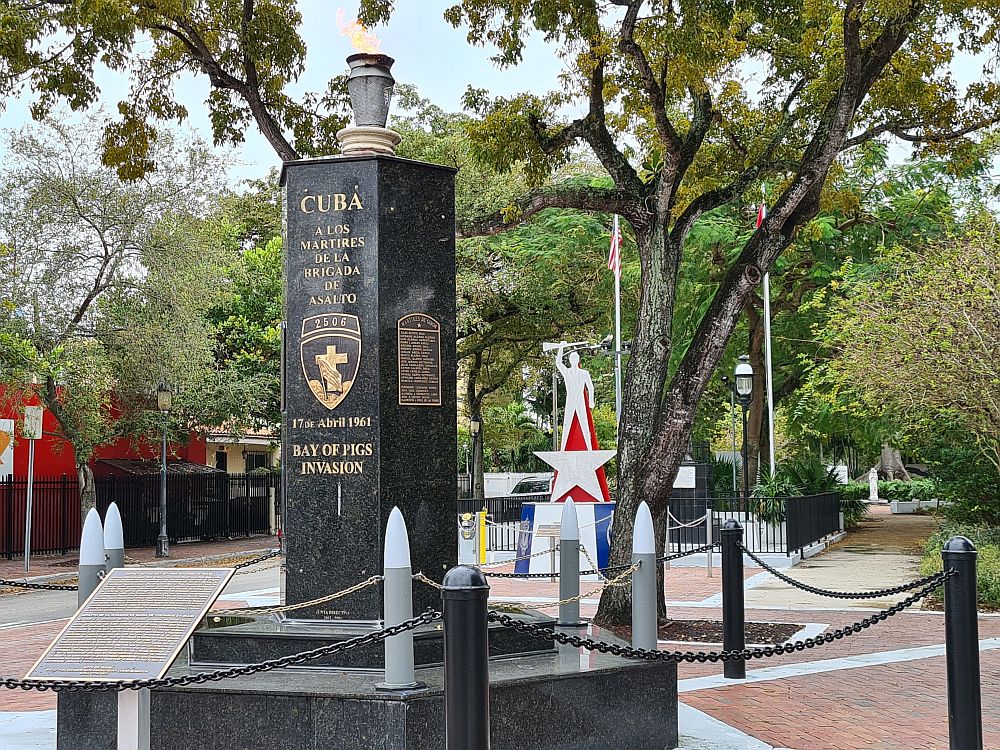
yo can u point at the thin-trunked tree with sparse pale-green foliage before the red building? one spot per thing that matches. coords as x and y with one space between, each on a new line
105 285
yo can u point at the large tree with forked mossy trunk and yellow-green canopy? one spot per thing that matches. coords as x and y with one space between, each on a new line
689 106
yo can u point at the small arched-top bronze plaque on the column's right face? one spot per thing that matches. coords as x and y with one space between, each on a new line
419 357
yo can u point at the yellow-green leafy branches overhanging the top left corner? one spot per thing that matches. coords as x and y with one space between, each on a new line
250 52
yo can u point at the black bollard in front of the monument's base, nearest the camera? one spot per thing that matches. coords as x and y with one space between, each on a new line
466 659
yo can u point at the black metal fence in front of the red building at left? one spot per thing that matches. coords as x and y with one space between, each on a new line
199 507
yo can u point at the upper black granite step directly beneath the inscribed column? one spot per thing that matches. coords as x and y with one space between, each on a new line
233 641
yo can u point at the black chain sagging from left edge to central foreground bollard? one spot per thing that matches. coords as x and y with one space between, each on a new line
222 674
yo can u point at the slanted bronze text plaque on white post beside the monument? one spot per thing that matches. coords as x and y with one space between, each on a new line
133 626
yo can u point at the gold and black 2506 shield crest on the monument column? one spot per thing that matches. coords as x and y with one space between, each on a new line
331 353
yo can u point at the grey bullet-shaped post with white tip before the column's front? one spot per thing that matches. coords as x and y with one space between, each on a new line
397 590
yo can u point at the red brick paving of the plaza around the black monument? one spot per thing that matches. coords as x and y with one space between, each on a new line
899 704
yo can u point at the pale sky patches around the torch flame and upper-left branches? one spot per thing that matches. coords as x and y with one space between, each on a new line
429 54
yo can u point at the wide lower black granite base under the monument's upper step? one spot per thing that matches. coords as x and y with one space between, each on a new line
566 699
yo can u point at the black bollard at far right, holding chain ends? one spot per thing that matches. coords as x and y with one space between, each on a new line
961 635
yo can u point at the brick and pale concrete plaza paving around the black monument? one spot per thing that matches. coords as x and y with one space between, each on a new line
881 688
